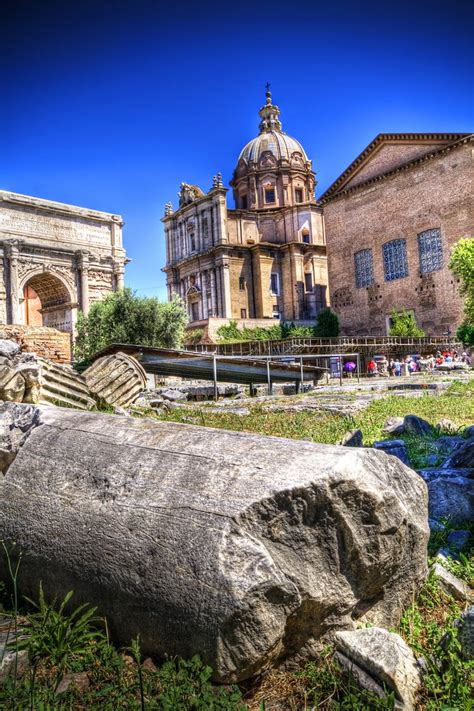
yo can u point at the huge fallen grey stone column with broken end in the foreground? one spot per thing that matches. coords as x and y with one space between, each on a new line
243 548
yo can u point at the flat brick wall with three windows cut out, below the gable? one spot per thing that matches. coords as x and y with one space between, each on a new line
434 194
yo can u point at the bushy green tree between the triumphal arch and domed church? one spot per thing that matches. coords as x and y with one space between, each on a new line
123 317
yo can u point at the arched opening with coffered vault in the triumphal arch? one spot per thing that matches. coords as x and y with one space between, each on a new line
47 302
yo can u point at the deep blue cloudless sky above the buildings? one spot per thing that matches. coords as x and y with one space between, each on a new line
111 104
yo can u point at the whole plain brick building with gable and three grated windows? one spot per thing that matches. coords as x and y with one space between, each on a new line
390 220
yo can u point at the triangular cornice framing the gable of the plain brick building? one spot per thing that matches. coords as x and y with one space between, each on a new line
333 193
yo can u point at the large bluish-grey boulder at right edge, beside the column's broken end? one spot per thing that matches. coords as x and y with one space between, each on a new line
451 498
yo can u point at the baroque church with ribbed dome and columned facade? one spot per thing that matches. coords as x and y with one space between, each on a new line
265 258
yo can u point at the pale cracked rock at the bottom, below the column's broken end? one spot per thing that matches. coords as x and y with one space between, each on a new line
377 659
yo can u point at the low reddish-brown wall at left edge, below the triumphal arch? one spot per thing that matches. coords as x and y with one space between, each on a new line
45 342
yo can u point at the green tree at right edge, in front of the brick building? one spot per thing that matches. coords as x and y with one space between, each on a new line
461 264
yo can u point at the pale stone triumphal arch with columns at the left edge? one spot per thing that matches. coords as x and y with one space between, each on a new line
55 259
